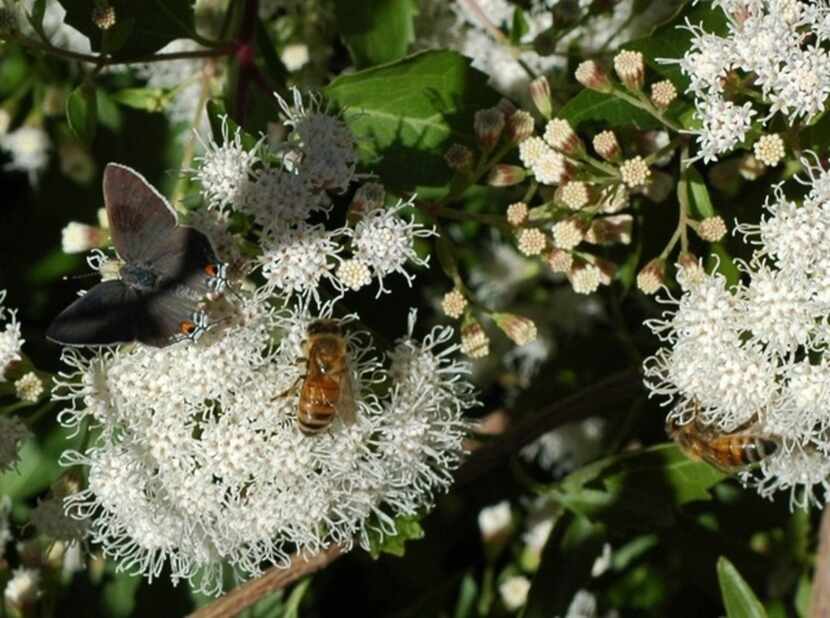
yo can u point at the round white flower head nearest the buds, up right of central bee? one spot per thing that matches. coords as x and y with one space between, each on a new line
385 241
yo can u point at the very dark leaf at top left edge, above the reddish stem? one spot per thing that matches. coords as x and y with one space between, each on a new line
150 25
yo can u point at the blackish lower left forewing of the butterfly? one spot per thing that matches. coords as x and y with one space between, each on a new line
108 313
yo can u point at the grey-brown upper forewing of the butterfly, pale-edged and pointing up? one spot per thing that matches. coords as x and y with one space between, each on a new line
140 218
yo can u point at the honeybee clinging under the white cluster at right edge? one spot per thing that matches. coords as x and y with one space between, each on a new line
728 452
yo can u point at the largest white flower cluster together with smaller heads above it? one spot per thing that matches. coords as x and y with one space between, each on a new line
199 459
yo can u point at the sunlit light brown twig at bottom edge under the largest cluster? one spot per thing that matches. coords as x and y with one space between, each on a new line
273 579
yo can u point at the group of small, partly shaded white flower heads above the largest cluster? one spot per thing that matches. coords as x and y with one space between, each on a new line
288 205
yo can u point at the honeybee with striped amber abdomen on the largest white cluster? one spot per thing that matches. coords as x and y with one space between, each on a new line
326 389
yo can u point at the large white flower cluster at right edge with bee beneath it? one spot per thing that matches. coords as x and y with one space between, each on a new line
750 358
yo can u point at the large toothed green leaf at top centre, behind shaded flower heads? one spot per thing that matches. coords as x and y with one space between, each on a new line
405 115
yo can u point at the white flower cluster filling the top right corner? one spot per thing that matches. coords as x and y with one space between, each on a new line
776 46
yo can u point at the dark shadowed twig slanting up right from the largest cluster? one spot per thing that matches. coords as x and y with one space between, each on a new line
611 392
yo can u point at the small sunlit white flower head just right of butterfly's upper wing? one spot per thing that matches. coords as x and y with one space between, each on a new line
225 169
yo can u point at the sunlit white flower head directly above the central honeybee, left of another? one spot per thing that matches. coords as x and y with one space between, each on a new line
297 258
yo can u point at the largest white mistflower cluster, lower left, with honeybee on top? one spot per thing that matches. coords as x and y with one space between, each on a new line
200 462
